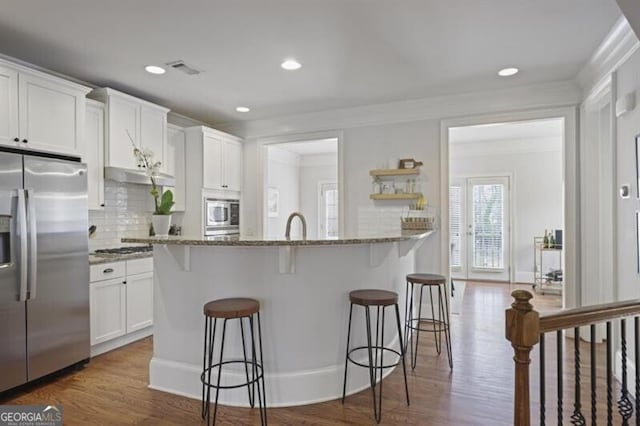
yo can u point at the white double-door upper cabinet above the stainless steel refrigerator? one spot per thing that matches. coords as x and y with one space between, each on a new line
41 112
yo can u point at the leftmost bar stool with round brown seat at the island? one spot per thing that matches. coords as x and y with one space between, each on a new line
229 309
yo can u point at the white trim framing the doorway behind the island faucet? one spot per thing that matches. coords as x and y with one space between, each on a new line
261 169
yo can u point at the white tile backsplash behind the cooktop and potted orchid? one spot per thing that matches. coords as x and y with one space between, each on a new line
127 213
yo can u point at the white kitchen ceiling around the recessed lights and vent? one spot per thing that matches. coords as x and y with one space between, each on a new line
354 52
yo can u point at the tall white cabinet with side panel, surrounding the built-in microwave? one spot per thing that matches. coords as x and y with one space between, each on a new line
213 170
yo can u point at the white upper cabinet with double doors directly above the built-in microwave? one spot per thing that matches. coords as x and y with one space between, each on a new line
219 156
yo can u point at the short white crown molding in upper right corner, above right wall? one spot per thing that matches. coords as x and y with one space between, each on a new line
618 45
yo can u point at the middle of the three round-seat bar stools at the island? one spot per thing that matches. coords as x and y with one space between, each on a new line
378 299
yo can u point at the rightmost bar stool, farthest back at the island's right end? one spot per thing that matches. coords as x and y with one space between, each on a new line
439 325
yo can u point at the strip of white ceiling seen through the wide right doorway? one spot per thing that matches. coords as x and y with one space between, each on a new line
535 129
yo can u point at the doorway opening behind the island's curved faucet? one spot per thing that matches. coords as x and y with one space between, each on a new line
302 176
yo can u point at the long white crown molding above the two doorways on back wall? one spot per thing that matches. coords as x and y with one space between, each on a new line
562 93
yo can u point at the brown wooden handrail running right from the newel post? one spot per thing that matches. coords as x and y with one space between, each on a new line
577 317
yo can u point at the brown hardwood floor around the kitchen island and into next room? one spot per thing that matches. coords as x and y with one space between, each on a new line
112 389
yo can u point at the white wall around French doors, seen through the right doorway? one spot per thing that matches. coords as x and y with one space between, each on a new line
535 167
